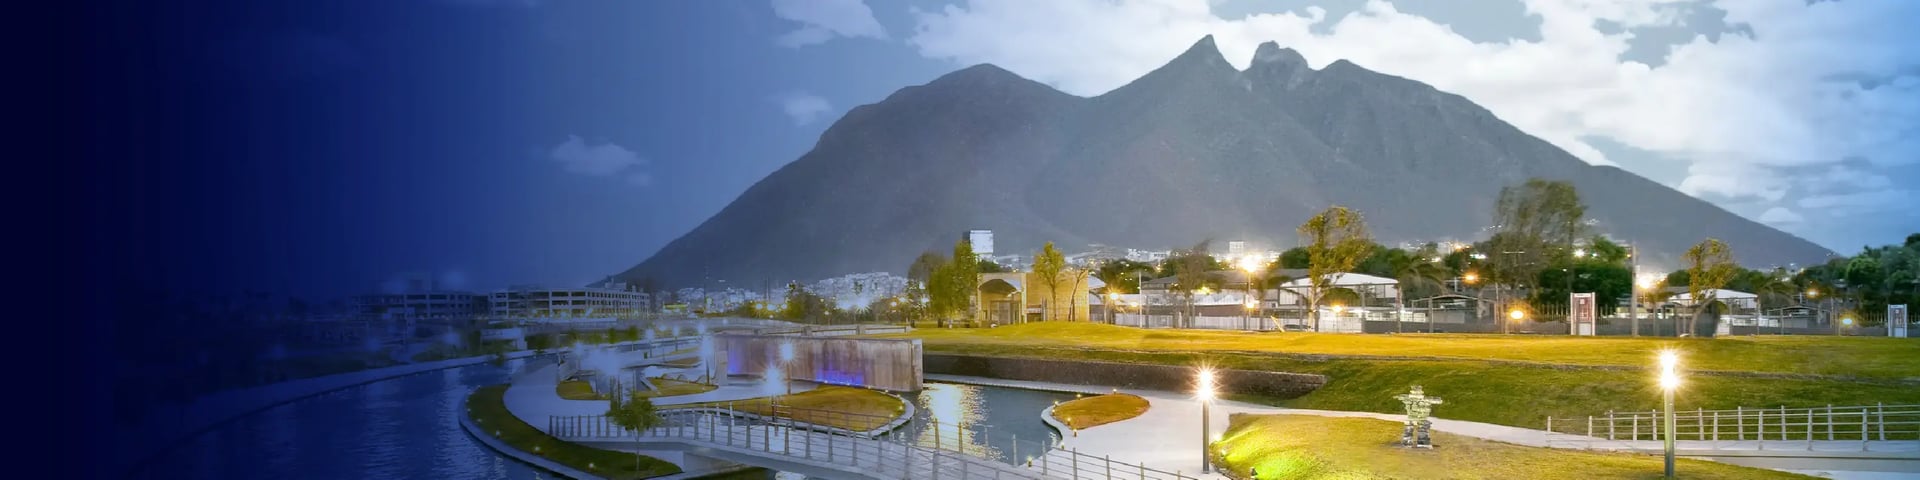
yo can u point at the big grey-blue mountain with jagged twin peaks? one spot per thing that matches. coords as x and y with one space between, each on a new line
1191 151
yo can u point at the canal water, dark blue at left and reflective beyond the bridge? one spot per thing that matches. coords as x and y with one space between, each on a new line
408 429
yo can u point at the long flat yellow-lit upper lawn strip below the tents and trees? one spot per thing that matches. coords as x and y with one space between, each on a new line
1835 356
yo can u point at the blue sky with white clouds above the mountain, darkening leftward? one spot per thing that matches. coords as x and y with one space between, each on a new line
324 149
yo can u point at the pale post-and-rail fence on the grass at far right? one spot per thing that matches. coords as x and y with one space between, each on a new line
1752 429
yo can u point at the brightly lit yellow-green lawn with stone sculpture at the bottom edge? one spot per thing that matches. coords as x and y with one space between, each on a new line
1299 446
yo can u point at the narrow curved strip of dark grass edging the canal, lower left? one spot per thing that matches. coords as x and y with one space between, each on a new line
491 414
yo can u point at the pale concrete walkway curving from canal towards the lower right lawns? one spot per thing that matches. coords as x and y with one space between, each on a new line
1168 435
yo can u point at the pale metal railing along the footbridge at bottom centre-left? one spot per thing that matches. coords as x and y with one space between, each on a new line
926 450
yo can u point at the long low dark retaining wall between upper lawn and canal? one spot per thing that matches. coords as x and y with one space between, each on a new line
1122 375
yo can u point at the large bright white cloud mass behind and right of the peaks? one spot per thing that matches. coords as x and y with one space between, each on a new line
1740 114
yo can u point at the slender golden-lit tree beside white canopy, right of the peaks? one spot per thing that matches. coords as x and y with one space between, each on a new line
1335 241
